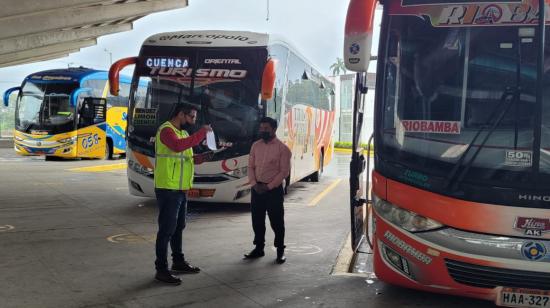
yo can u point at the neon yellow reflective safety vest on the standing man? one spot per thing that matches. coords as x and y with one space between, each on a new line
173 170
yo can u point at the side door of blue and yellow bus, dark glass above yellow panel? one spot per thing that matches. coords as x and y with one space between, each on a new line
92 139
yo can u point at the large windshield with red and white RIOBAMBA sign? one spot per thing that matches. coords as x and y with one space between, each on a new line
459 107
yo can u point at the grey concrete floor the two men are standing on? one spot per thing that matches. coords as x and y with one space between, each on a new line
78 239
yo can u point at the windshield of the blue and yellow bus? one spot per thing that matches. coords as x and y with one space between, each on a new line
46 107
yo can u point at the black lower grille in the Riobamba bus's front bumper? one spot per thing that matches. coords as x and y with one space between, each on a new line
490 277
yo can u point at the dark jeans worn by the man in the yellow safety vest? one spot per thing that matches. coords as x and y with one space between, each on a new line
172 210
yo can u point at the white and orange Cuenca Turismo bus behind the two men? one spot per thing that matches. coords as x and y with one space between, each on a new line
233 79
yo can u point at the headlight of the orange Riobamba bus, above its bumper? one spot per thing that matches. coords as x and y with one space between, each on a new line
405 219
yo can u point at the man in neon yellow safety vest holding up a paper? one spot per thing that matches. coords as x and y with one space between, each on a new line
174 169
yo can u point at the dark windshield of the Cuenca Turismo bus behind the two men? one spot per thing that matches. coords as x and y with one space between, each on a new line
227 99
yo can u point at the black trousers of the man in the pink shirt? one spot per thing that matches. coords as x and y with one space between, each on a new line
272 203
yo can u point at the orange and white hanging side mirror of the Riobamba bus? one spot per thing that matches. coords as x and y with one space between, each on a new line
358 37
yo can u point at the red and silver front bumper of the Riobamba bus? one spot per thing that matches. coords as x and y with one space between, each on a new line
456 262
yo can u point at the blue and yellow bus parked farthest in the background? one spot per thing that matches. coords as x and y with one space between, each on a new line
69 113
